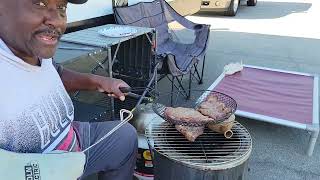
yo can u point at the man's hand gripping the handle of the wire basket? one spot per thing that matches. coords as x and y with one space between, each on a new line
110 86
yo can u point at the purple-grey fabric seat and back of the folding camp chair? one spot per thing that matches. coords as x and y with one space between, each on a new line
158 14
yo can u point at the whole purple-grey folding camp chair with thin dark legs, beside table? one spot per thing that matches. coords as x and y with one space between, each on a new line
178 58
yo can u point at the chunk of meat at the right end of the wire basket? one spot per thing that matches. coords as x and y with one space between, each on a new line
213 108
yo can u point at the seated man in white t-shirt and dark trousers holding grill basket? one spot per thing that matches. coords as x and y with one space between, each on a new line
36 113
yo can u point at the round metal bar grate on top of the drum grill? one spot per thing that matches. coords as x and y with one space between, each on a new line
210 149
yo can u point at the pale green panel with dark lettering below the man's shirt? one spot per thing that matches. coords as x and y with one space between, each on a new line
34 166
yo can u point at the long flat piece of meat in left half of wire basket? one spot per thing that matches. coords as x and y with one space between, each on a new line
185 115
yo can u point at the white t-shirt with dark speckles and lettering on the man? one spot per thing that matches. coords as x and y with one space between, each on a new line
35 110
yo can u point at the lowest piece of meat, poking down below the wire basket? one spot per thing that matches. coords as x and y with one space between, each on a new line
189 132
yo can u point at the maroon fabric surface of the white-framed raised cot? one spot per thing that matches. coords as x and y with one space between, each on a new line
276 94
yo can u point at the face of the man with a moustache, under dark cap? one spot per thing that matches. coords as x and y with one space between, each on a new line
32 28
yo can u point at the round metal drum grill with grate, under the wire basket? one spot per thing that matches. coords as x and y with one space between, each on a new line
211 156
